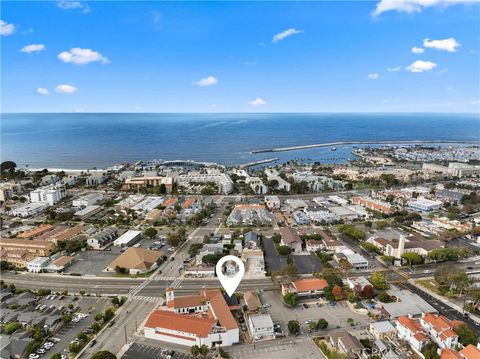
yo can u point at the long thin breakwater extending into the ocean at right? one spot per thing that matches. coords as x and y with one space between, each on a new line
342 143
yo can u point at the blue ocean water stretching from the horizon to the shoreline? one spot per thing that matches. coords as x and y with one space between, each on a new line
86 140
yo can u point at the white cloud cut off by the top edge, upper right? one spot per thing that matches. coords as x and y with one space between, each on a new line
412 6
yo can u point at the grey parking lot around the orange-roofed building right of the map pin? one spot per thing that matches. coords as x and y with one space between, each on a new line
336 316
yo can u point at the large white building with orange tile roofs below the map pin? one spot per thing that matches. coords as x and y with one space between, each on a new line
203 319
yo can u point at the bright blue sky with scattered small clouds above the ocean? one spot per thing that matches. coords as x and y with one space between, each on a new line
96 56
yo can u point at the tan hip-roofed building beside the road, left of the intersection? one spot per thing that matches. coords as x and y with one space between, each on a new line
136 260
